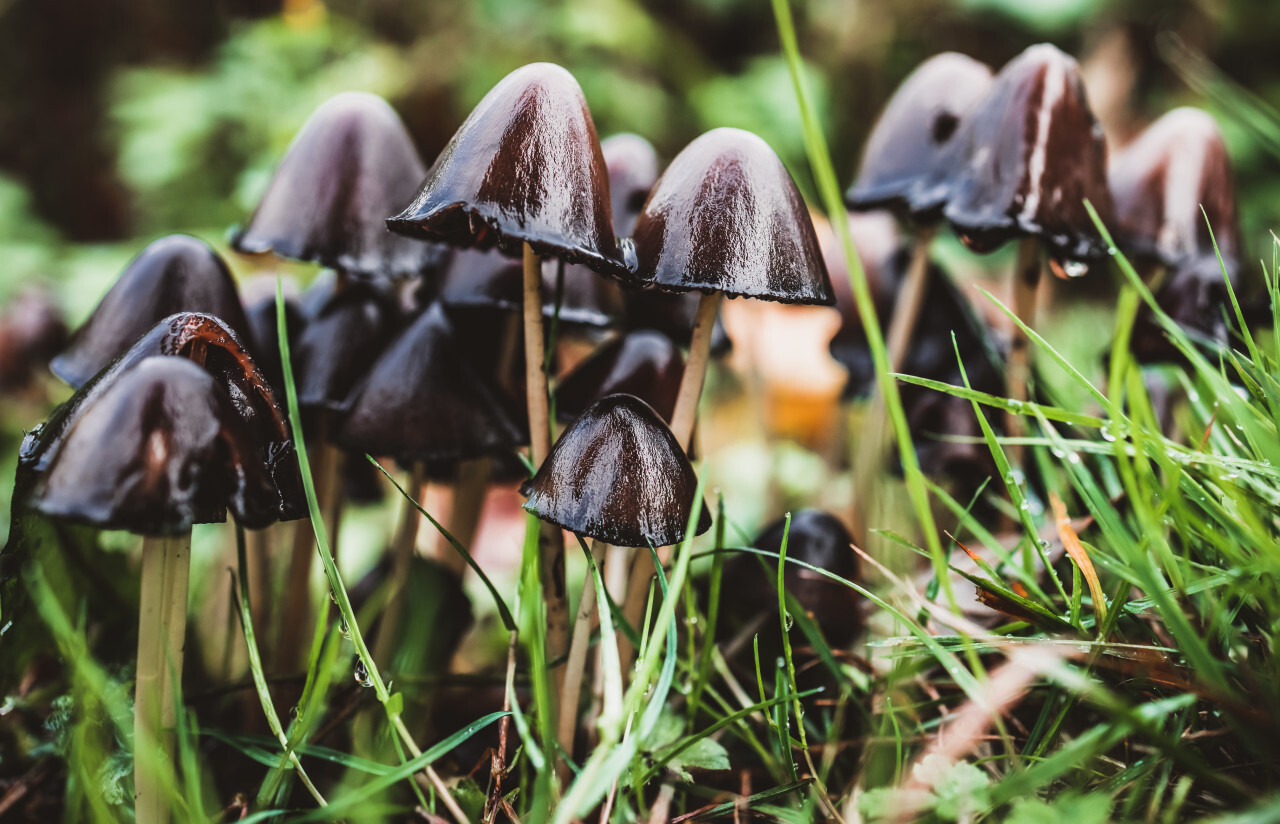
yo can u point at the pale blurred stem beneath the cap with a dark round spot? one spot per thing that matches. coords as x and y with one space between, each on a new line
871 448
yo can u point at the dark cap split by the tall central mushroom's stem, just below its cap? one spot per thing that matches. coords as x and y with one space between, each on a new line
486 278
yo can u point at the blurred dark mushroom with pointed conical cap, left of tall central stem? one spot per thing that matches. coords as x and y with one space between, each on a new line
423 402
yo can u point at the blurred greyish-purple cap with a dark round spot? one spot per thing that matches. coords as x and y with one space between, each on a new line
916 126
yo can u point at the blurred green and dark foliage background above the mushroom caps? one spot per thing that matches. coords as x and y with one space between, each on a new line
129 120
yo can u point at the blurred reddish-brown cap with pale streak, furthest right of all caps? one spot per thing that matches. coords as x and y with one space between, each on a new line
1160 184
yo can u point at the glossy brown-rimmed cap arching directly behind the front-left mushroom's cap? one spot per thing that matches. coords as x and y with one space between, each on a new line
189 336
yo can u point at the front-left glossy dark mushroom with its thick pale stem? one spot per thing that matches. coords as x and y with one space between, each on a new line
154 448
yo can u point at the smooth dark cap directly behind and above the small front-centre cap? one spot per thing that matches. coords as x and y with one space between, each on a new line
644 364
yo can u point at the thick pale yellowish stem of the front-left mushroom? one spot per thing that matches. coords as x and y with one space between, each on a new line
162 637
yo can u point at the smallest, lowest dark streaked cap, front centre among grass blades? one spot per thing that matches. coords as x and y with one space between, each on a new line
618 475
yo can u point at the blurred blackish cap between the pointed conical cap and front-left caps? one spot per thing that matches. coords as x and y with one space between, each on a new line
351 326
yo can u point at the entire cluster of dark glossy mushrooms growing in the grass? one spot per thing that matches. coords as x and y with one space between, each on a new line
431 337
